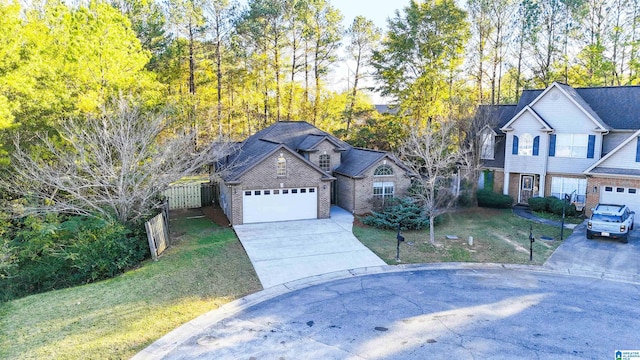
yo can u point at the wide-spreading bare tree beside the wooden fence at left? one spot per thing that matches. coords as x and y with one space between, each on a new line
111 166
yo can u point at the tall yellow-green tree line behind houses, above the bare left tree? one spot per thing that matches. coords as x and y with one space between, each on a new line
230 69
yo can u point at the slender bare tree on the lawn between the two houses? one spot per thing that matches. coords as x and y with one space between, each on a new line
433 153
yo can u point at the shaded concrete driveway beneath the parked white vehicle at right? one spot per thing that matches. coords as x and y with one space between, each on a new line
607 257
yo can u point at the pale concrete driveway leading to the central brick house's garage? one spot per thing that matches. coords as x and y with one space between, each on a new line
285 251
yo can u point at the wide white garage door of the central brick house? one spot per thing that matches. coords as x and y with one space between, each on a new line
279 205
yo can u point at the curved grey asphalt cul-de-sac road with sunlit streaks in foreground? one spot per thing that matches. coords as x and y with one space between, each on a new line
423 312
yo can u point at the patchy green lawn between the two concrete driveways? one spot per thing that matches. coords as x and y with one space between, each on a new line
499 236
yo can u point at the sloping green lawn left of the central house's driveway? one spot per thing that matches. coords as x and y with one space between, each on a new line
114 319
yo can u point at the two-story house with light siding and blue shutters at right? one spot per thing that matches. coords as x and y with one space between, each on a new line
561 140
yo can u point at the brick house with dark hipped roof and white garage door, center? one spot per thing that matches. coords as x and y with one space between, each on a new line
292 171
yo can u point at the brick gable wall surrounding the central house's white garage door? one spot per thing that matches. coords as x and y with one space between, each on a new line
263 176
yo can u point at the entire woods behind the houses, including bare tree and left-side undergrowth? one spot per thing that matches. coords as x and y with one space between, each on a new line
104 103
